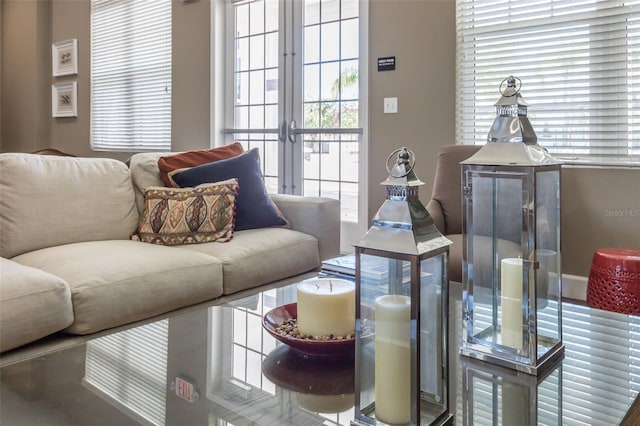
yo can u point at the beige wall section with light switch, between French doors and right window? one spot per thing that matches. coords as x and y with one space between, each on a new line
421 35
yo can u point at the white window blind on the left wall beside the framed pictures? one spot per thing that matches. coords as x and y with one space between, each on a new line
131 75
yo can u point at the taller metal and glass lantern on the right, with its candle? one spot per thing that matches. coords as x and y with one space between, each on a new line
511 244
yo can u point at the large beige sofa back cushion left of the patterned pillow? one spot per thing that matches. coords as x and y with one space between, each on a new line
47 201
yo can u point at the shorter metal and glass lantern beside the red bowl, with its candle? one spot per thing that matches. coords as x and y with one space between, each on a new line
402 292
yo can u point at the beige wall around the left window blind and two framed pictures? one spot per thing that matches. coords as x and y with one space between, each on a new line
29 28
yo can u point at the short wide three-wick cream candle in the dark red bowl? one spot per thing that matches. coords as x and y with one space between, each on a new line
326 306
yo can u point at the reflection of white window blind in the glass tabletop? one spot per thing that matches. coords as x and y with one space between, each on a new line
129 370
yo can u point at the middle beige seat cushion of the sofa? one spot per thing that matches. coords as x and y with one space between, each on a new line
117 282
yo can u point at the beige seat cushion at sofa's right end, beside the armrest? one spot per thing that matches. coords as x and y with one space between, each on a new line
259 256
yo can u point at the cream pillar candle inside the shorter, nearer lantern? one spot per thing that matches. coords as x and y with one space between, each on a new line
393 359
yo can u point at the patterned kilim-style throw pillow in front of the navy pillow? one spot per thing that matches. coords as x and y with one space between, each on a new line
189 215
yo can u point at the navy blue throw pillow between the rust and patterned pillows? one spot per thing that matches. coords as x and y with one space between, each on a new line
254 208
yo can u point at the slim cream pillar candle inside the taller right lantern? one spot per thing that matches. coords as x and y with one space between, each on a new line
511 323
